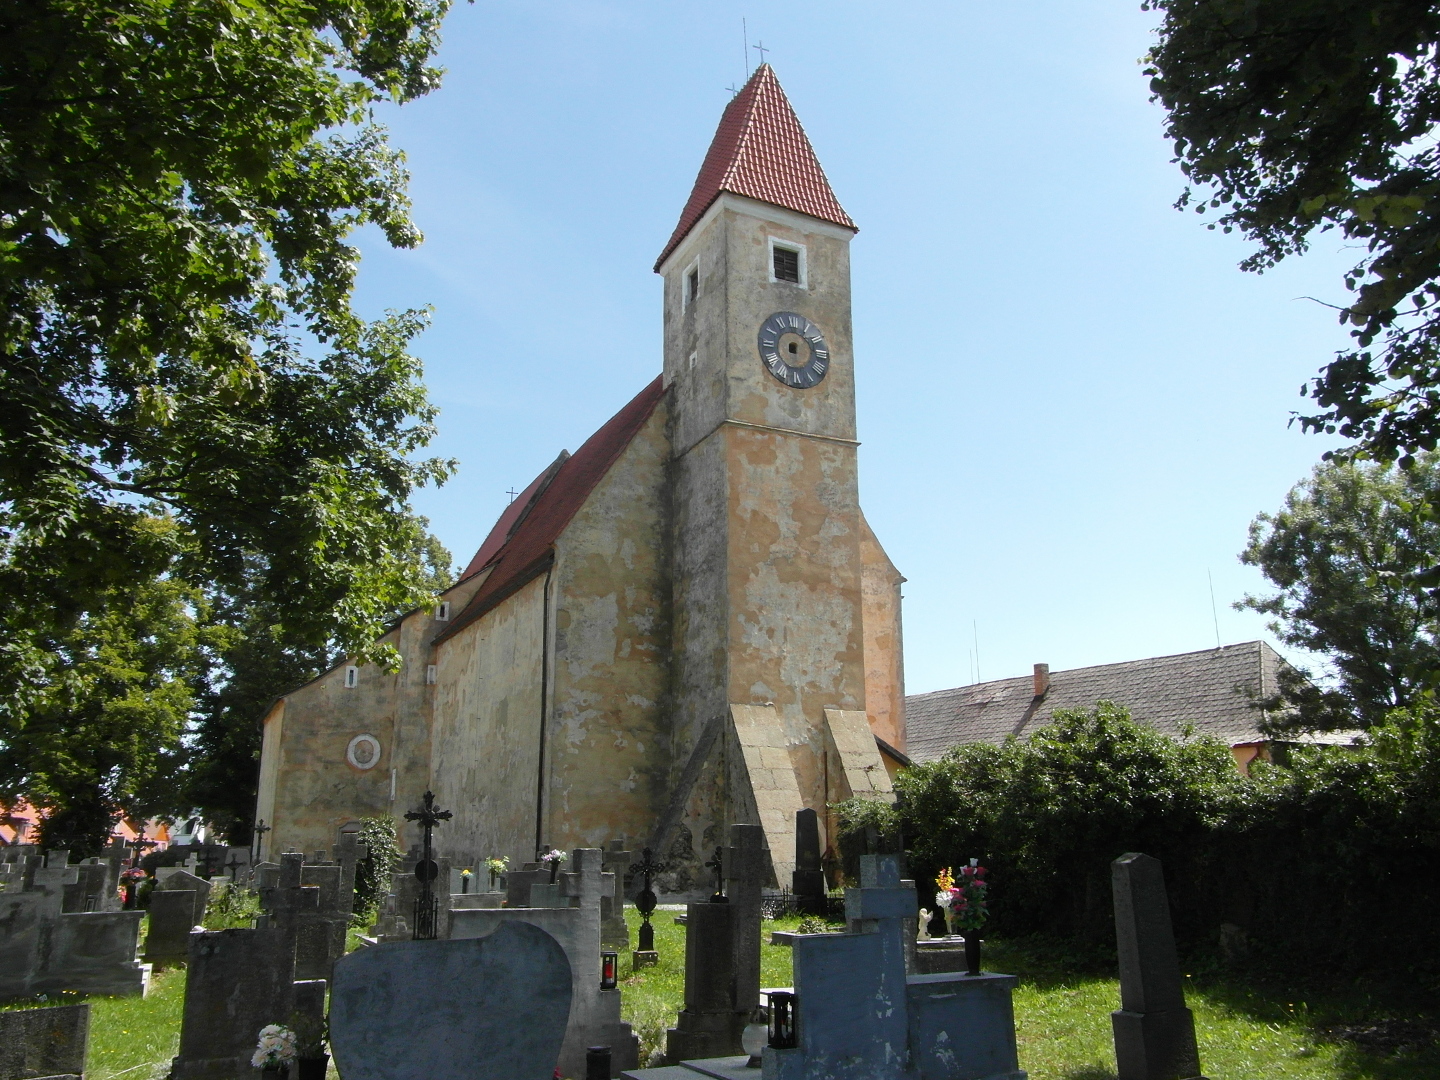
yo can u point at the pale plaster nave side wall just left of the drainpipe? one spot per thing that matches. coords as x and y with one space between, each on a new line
486 737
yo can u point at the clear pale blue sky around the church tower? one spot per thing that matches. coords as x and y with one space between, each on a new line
1072 402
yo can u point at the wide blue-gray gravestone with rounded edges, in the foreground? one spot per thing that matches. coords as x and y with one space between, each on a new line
483 1009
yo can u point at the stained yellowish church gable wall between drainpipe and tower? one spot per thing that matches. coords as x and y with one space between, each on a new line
608 741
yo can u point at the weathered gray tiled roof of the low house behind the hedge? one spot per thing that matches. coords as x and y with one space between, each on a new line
1213 690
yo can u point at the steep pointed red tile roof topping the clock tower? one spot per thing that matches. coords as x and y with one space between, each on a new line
761 152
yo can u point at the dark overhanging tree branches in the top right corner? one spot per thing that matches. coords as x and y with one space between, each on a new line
1294 117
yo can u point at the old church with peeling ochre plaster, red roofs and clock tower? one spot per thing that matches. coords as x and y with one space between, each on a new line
683 626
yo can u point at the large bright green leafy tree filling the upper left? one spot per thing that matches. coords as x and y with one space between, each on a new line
178 181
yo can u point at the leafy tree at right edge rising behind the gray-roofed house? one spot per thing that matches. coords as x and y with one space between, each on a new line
1344 554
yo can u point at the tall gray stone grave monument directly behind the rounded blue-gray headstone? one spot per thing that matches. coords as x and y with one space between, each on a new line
574 921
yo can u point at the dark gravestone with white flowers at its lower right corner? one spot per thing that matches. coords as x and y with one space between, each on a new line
238 981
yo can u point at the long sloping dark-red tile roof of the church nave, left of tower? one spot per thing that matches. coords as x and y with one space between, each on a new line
522 545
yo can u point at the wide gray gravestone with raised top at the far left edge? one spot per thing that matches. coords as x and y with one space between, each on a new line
47 951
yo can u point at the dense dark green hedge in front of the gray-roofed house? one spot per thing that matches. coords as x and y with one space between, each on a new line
1328 860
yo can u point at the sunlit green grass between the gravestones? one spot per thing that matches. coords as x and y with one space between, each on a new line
1248 1032
